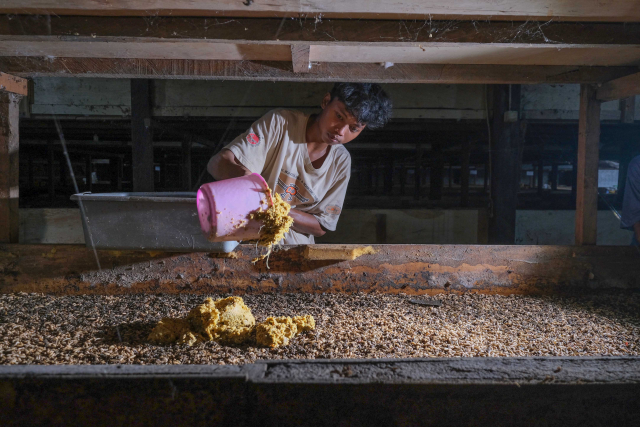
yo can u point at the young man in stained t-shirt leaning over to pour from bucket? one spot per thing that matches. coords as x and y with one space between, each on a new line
302 156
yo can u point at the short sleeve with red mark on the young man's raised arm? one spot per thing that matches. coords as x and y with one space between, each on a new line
254 147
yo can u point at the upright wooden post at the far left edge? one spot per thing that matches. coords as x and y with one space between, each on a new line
9 172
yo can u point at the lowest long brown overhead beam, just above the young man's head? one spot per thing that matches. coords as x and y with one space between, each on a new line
328 72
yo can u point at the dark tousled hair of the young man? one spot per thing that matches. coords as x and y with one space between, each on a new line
367 102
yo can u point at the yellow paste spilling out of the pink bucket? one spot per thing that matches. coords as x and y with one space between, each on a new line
276 222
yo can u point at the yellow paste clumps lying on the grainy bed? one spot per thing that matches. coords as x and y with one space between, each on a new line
228 321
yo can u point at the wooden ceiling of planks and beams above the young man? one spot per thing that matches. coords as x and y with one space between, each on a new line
529 41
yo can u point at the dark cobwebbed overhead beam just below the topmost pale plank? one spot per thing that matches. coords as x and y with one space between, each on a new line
312 31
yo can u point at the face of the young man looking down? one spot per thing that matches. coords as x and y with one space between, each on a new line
337 126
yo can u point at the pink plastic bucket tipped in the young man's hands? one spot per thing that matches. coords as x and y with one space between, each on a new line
224 207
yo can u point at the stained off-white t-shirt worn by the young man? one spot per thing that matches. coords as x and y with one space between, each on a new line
275 147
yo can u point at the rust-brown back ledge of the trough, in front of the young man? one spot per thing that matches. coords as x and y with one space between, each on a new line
412 269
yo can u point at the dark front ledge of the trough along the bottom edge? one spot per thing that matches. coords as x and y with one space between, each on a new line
448 392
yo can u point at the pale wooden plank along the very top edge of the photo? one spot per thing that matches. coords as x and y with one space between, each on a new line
543 10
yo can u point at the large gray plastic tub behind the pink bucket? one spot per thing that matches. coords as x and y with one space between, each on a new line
146 221
